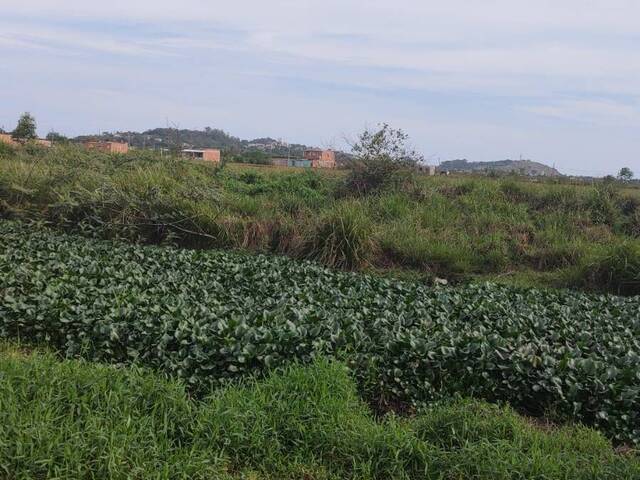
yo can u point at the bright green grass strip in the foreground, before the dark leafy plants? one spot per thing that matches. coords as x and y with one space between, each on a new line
77 420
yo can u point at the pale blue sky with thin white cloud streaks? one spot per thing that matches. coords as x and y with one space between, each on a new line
552 81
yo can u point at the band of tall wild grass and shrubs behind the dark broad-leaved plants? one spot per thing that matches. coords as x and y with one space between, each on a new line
462 228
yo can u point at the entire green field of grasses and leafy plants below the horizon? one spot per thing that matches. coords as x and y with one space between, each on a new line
216 361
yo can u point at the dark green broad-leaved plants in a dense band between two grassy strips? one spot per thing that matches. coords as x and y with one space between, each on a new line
212 316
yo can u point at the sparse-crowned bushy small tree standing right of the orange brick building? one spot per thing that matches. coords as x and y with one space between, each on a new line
381 158
